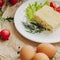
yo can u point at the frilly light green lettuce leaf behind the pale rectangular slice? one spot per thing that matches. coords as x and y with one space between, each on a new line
32 8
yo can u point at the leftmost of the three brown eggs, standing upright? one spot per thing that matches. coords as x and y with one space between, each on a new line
27 53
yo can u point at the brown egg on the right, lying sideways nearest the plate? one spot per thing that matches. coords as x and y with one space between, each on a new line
48 49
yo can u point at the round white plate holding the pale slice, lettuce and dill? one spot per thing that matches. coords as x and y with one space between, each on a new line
43 37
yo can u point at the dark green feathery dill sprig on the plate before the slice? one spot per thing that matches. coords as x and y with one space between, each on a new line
33 27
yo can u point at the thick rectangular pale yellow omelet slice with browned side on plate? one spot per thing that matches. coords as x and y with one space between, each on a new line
48 18
